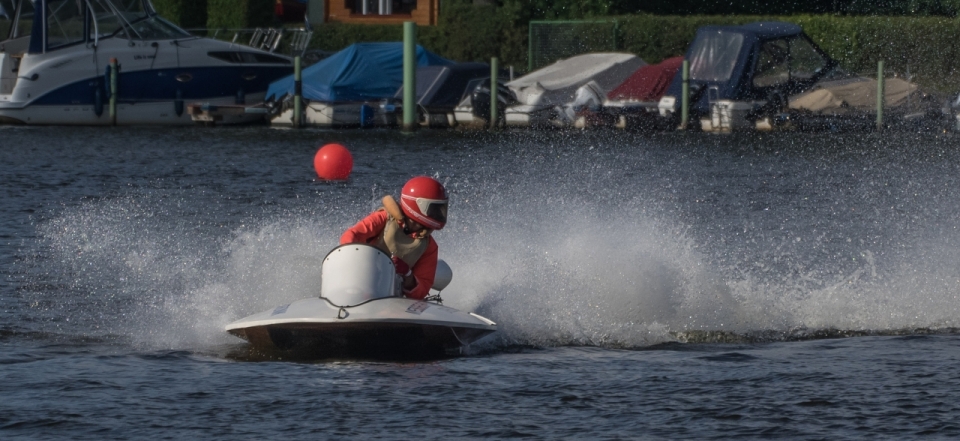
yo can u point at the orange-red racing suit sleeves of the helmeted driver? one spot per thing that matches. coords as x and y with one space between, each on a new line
368 231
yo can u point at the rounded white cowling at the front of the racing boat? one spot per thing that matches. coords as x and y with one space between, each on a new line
356 273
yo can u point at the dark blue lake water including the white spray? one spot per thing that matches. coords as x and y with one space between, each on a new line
666 286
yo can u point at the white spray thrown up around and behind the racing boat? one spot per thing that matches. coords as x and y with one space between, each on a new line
608 246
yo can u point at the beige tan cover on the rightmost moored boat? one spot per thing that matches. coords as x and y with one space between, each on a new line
858 95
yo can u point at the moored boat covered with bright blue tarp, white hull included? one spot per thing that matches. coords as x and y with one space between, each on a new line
348 87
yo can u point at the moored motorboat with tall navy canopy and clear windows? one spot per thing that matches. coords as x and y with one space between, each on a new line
741 77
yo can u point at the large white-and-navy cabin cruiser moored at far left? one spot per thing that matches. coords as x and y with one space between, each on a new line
55 66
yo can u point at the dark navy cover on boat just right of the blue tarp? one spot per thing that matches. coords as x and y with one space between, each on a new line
443 87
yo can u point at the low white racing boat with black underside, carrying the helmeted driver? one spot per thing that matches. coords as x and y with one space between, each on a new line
361 313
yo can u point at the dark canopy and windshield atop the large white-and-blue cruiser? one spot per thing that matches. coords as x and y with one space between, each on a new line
67 22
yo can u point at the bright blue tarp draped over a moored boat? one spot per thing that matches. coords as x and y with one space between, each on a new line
362 71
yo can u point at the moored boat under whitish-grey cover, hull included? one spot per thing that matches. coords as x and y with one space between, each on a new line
542 95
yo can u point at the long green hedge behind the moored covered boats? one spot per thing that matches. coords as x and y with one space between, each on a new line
926 47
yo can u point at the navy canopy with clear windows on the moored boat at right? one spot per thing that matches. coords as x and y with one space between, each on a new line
757 61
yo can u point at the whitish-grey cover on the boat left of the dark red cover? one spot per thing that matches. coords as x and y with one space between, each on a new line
557 84
